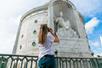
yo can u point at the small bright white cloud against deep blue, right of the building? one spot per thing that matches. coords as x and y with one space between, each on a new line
90 26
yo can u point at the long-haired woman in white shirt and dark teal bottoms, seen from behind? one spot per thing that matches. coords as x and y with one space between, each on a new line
46 53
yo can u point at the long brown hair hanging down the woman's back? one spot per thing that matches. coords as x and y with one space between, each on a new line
42 33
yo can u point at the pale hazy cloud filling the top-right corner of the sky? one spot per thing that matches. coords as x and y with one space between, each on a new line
86 7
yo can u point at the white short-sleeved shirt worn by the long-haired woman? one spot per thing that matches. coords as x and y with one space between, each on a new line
47 47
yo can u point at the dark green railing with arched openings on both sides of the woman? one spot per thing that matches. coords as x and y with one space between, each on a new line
24 61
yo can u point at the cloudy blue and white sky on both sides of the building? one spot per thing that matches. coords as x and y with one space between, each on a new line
12 10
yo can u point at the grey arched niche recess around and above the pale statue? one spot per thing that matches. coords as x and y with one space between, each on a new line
66 11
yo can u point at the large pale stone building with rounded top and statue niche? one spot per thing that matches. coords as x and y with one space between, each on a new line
62 17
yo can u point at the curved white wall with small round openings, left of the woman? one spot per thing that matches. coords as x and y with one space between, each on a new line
29 32
